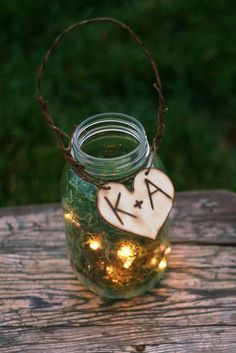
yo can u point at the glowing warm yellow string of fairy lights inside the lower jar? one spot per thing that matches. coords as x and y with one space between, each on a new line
117 266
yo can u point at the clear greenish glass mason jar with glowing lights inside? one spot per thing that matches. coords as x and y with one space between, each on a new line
112 263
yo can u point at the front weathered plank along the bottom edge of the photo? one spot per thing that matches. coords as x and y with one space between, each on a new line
125 338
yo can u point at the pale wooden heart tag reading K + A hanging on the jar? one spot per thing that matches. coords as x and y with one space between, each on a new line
142 211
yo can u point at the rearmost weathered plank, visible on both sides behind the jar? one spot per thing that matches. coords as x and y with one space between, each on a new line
207 217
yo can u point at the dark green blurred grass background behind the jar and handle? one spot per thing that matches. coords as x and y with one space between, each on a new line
99 69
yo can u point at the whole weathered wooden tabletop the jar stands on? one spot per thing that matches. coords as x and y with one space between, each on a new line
43 308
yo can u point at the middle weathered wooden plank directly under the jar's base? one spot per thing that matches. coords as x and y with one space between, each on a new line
42 289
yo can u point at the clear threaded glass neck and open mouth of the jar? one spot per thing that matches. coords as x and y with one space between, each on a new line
118 143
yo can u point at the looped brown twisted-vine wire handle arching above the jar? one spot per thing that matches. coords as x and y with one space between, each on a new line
61 136
